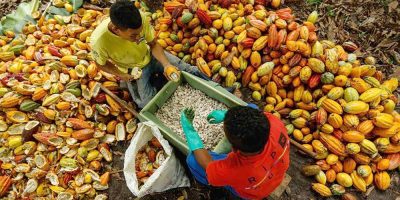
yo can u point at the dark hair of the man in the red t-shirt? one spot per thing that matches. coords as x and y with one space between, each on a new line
247 129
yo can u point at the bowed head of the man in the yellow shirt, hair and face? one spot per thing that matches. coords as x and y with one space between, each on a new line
126 19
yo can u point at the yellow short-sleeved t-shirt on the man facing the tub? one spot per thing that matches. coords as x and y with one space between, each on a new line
125 54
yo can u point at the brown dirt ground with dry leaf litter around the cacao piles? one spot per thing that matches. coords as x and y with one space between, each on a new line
374 25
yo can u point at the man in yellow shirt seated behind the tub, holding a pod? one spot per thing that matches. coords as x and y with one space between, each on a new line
125 44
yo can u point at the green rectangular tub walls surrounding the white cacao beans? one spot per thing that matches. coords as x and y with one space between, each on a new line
210 88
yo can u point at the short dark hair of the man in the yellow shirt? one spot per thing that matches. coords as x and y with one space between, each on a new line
125 15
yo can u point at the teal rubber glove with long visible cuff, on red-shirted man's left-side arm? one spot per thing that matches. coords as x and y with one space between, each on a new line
192 137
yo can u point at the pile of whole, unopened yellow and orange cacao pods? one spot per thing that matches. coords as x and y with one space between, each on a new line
332 102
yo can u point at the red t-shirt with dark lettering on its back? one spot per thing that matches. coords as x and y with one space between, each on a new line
255 177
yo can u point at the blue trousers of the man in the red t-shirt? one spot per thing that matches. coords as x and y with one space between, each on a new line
200 174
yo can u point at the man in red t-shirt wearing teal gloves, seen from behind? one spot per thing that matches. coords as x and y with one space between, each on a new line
259 157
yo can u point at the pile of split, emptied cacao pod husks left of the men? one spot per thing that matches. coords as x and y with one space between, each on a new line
56 126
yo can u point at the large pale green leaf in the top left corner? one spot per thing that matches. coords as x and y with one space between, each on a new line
21 16
